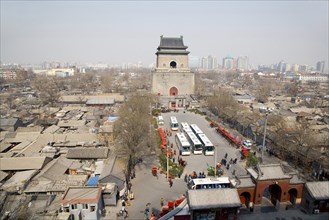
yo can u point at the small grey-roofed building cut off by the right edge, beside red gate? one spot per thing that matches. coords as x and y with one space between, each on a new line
316 197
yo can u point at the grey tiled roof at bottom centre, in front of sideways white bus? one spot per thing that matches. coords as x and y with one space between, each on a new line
213 198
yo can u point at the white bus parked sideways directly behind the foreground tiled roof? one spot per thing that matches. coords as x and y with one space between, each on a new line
209 183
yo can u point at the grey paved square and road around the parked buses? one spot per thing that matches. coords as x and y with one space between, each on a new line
149 189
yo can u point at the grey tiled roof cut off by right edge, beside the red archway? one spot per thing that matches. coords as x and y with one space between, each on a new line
318 190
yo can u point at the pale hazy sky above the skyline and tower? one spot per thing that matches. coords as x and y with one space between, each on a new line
116 32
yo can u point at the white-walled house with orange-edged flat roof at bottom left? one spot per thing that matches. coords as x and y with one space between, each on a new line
83 202
